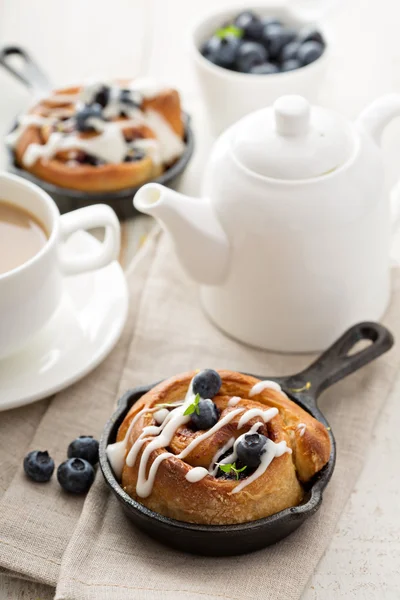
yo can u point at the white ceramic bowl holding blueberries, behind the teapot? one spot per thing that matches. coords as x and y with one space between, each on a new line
230 95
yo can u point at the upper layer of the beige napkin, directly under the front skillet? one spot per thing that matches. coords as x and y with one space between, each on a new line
108 558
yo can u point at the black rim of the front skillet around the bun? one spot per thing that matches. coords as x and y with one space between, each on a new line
307 508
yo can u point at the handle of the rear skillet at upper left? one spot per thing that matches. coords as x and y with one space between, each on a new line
27 72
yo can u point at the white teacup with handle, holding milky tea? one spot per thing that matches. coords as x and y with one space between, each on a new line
30 293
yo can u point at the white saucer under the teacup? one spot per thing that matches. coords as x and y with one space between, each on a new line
81 333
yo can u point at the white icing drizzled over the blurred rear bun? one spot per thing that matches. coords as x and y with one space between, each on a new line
110 145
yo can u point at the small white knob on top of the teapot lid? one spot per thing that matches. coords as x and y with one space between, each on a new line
292 115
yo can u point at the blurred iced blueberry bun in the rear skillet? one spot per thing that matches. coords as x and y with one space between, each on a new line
101 137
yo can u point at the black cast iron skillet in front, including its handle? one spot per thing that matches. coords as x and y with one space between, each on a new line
225 540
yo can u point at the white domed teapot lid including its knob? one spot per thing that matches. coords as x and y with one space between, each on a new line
292 140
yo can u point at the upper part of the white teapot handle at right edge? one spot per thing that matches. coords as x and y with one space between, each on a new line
379 114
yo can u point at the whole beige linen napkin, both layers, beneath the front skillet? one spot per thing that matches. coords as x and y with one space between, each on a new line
106 557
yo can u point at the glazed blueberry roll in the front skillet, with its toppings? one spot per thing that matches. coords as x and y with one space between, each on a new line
217 448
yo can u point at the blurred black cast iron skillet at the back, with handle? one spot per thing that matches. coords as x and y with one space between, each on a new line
31 76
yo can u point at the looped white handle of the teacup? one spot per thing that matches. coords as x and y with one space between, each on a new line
99 215
